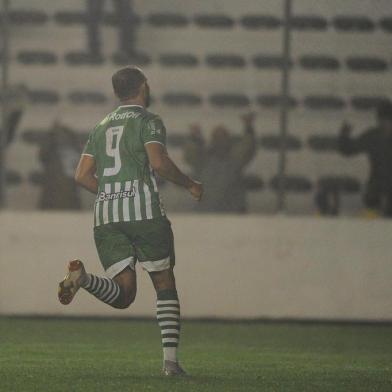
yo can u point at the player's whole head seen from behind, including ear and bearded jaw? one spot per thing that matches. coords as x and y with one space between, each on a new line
130 83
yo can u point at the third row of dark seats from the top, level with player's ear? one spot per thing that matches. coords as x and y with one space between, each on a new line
190 99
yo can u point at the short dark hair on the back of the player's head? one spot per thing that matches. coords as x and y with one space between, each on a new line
127 82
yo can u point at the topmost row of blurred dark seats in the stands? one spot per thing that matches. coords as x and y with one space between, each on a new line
341 23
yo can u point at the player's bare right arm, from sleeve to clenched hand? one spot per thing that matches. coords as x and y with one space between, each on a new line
166 168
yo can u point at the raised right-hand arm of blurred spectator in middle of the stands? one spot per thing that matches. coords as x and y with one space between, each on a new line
244 150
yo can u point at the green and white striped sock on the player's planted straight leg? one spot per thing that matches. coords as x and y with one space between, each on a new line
168 315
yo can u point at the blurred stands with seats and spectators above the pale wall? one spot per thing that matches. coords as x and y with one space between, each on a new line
313 74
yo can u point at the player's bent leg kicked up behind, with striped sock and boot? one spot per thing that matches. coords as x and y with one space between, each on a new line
118 292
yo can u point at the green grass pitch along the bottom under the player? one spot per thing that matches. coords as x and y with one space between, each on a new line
125 355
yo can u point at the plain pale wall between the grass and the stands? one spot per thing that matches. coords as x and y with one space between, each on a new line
227 267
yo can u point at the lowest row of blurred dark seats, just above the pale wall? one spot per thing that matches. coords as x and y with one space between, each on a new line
293 184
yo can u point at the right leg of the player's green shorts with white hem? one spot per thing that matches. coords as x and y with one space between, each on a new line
154 245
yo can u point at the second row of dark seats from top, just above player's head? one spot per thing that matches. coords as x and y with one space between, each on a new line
235 61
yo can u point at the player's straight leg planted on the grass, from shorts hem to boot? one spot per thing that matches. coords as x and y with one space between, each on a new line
168 315
